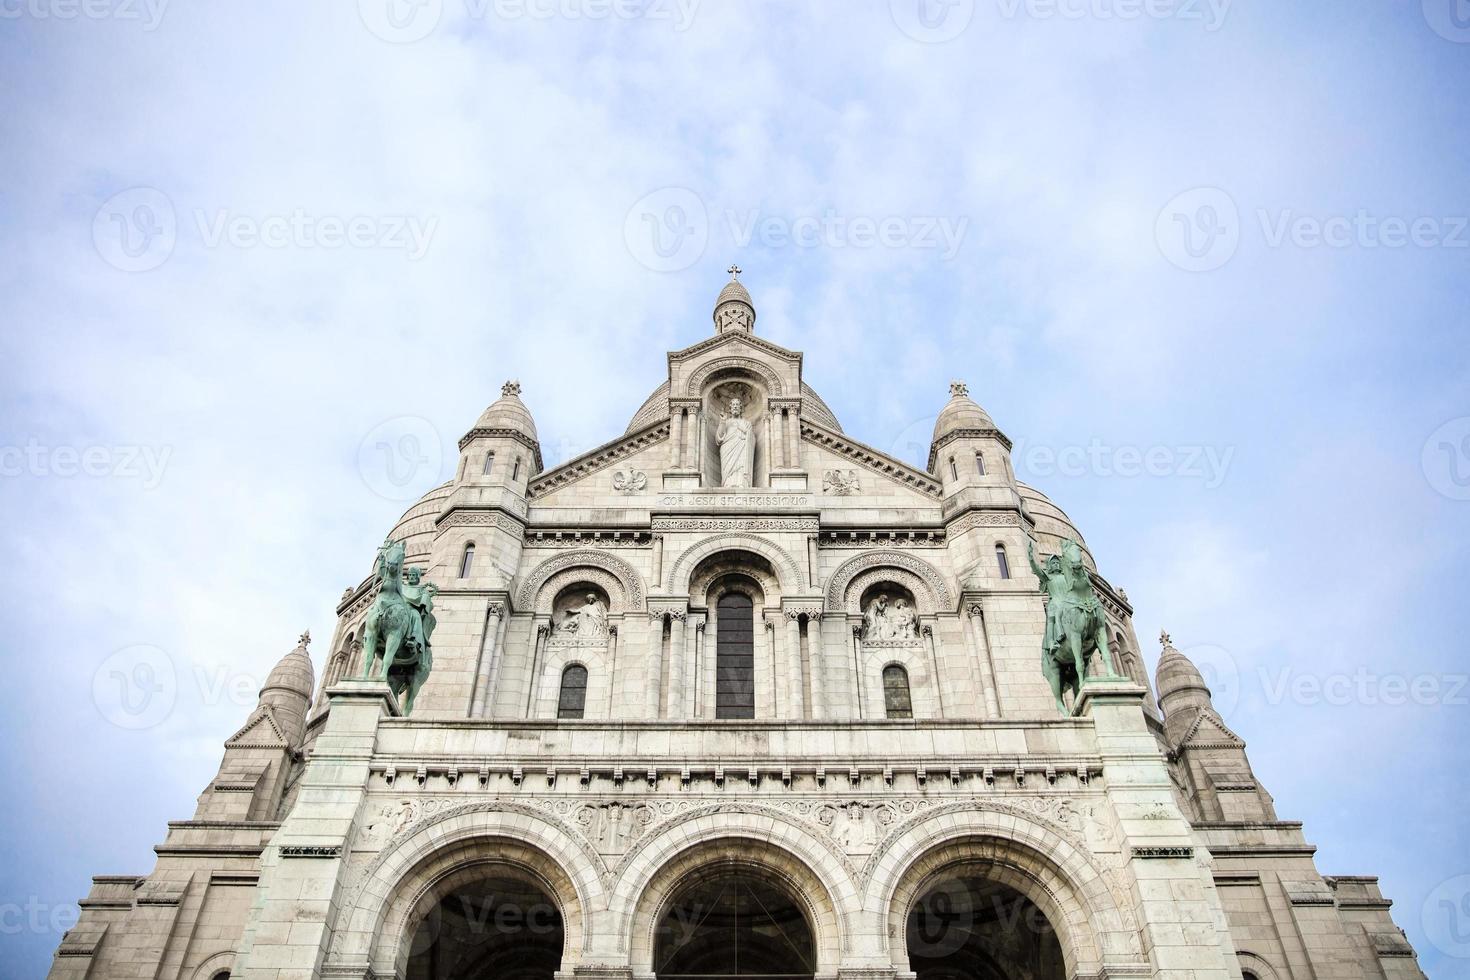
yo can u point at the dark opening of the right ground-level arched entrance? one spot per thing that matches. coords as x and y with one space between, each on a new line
969 928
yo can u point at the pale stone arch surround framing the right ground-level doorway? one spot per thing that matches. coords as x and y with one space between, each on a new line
1014 850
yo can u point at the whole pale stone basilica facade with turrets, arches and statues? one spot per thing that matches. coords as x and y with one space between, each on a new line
734 696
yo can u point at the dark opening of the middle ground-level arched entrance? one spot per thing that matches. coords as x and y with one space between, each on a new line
734 923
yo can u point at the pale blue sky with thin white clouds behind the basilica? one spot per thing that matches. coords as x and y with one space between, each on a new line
249 245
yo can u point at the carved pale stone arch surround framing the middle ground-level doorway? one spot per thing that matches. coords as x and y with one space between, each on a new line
758 840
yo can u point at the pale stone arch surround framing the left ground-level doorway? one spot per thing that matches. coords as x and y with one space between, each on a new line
452 849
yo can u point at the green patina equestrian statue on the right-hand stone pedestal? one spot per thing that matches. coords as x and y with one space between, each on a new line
1077 627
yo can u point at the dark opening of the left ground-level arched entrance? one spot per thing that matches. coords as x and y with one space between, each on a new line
501 926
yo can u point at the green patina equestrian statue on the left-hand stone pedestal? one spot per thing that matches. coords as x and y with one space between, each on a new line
399 627
